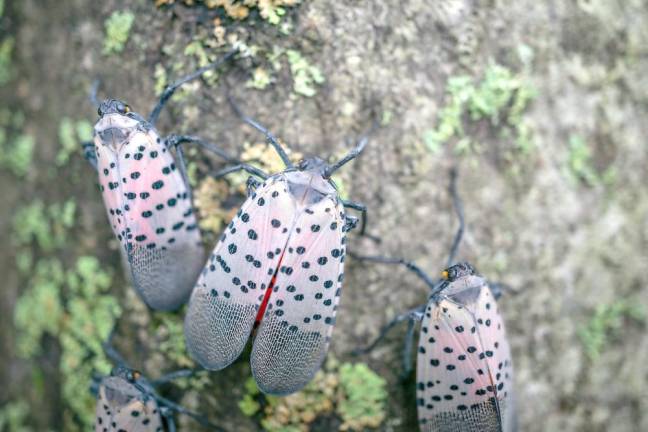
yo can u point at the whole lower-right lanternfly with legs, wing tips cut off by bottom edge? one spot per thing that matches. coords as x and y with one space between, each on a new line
464 373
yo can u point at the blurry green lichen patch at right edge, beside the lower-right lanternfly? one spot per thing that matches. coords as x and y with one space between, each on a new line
606 323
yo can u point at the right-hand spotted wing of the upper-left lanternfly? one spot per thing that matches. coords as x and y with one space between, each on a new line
162 240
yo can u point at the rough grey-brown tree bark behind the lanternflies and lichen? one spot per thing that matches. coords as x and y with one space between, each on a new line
564 246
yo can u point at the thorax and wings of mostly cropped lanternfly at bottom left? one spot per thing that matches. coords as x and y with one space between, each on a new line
121 406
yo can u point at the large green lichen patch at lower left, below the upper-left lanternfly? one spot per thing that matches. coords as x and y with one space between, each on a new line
75 306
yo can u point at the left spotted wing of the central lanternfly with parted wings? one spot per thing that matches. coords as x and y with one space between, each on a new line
231 288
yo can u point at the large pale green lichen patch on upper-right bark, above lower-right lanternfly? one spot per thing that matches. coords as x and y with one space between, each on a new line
500 97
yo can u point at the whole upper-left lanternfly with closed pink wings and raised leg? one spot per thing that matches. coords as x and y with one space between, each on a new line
148 199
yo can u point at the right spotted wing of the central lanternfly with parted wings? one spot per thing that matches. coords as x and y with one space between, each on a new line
294 335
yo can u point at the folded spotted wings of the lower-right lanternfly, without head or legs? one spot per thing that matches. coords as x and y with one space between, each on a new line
464 369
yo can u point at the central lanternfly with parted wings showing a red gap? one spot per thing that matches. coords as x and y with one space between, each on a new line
280 264
